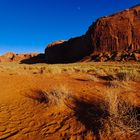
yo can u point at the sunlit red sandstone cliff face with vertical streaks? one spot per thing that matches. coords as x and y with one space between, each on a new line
118 32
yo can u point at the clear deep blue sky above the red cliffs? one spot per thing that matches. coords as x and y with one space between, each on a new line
29 25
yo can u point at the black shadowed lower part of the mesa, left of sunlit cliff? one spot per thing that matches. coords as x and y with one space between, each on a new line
69 51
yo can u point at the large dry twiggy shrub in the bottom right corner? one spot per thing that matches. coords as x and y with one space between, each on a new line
123 117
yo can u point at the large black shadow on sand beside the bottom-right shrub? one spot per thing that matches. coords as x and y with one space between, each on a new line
90 114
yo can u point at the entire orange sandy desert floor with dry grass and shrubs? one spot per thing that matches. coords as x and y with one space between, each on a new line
68 102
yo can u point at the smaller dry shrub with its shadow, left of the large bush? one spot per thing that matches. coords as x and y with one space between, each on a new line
56 96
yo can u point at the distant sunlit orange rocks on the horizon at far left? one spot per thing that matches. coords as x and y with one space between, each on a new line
10 57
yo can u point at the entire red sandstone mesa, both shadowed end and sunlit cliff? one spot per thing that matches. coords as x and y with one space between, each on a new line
119 32
